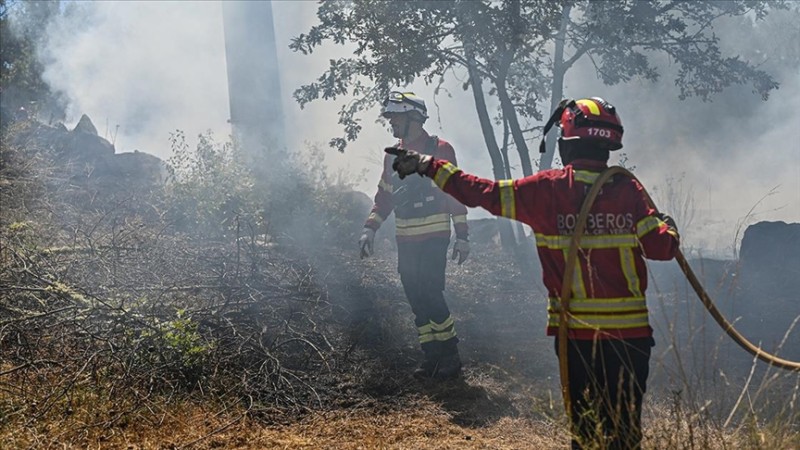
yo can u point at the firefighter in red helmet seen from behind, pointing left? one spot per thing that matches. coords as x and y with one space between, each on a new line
609 334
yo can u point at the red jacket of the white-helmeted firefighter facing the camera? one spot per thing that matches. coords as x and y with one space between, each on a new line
421 210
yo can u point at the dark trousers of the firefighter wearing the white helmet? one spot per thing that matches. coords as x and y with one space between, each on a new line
422 272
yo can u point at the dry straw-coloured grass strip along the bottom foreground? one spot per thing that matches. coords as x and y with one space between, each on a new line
189 424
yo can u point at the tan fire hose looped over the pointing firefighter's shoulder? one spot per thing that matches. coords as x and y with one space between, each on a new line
564 315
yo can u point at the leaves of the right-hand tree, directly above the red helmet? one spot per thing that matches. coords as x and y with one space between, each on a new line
621 39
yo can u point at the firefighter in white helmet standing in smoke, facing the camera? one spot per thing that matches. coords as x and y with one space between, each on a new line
422 218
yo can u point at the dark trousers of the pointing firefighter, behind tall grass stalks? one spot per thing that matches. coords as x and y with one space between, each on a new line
607 382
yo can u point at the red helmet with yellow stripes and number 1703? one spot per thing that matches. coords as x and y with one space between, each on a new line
592 119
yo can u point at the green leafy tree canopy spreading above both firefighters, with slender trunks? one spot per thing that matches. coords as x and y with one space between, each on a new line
523 49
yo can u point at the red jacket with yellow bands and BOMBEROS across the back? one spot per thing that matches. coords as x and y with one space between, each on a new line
608 291
